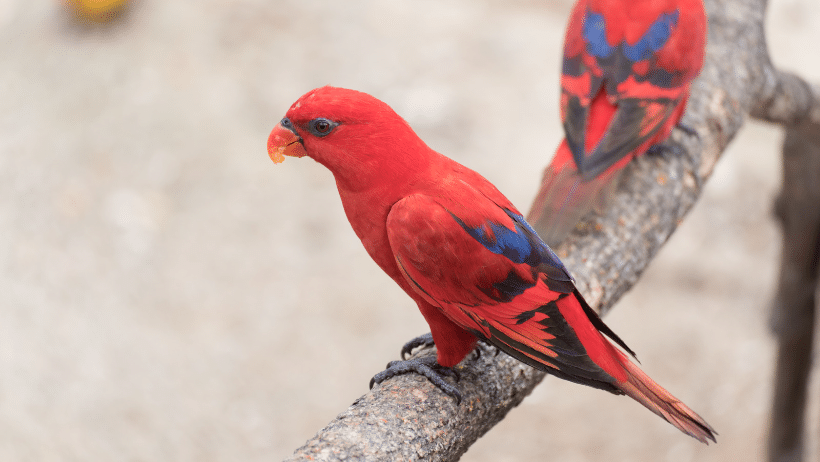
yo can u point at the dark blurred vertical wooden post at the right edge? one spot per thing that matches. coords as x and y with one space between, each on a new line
793 310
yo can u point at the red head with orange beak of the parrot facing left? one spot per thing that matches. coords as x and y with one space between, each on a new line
357 137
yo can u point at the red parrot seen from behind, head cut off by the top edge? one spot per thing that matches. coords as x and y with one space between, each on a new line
627 68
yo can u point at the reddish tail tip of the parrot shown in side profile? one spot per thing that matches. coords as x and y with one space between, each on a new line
644 390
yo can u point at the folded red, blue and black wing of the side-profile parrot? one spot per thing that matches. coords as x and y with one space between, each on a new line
488 272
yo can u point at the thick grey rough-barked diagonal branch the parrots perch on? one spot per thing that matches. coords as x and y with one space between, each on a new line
407 418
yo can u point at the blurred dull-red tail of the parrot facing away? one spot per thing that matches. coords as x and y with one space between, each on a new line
564 197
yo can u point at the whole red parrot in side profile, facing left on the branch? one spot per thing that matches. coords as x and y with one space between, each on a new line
462 252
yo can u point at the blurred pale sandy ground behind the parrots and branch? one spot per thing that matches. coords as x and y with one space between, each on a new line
168 294
